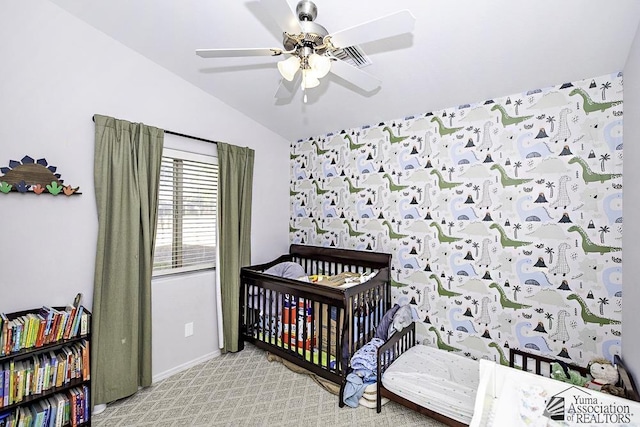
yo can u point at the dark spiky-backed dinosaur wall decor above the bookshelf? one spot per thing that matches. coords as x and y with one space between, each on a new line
33 176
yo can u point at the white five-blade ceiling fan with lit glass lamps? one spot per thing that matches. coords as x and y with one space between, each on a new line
311 48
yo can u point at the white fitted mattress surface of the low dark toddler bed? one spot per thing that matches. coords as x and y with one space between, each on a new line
435 379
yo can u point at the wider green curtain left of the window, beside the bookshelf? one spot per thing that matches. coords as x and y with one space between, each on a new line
126 177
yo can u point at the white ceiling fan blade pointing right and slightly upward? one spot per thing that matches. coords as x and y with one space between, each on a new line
386 26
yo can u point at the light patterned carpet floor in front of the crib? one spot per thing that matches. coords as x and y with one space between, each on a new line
245 389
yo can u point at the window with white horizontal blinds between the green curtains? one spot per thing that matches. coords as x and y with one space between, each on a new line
186 228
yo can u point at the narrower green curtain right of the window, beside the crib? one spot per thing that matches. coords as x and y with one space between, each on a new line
235 181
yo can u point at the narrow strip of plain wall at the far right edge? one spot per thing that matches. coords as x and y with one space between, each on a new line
631 207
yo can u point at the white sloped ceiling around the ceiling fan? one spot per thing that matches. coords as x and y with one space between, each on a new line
461 51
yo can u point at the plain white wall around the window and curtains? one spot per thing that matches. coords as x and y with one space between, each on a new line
56 73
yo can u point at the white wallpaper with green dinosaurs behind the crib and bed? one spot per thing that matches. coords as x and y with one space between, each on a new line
504 217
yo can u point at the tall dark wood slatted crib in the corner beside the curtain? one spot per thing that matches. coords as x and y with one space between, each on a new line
317 326
